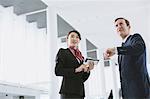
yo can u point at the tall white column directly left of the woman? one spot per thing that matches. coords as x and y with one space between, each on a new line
53 49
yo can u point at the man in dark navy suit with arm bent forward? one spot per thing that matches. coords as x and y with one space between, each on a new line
134 77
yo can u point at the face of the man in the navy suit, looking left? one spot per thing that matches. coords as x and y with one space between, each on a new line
122 28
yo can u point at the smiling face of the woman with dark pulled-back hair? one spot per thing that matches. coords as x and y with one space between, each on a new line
73 39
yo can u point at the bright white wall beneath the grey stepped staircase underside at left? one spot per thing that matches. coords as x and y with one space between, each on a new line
23 49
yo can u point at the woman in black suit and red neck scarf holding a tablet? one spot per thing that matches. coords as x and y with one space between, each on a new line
69 64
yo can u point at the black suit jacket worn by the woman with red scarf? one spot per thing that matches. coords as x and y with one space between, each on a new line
73 83
